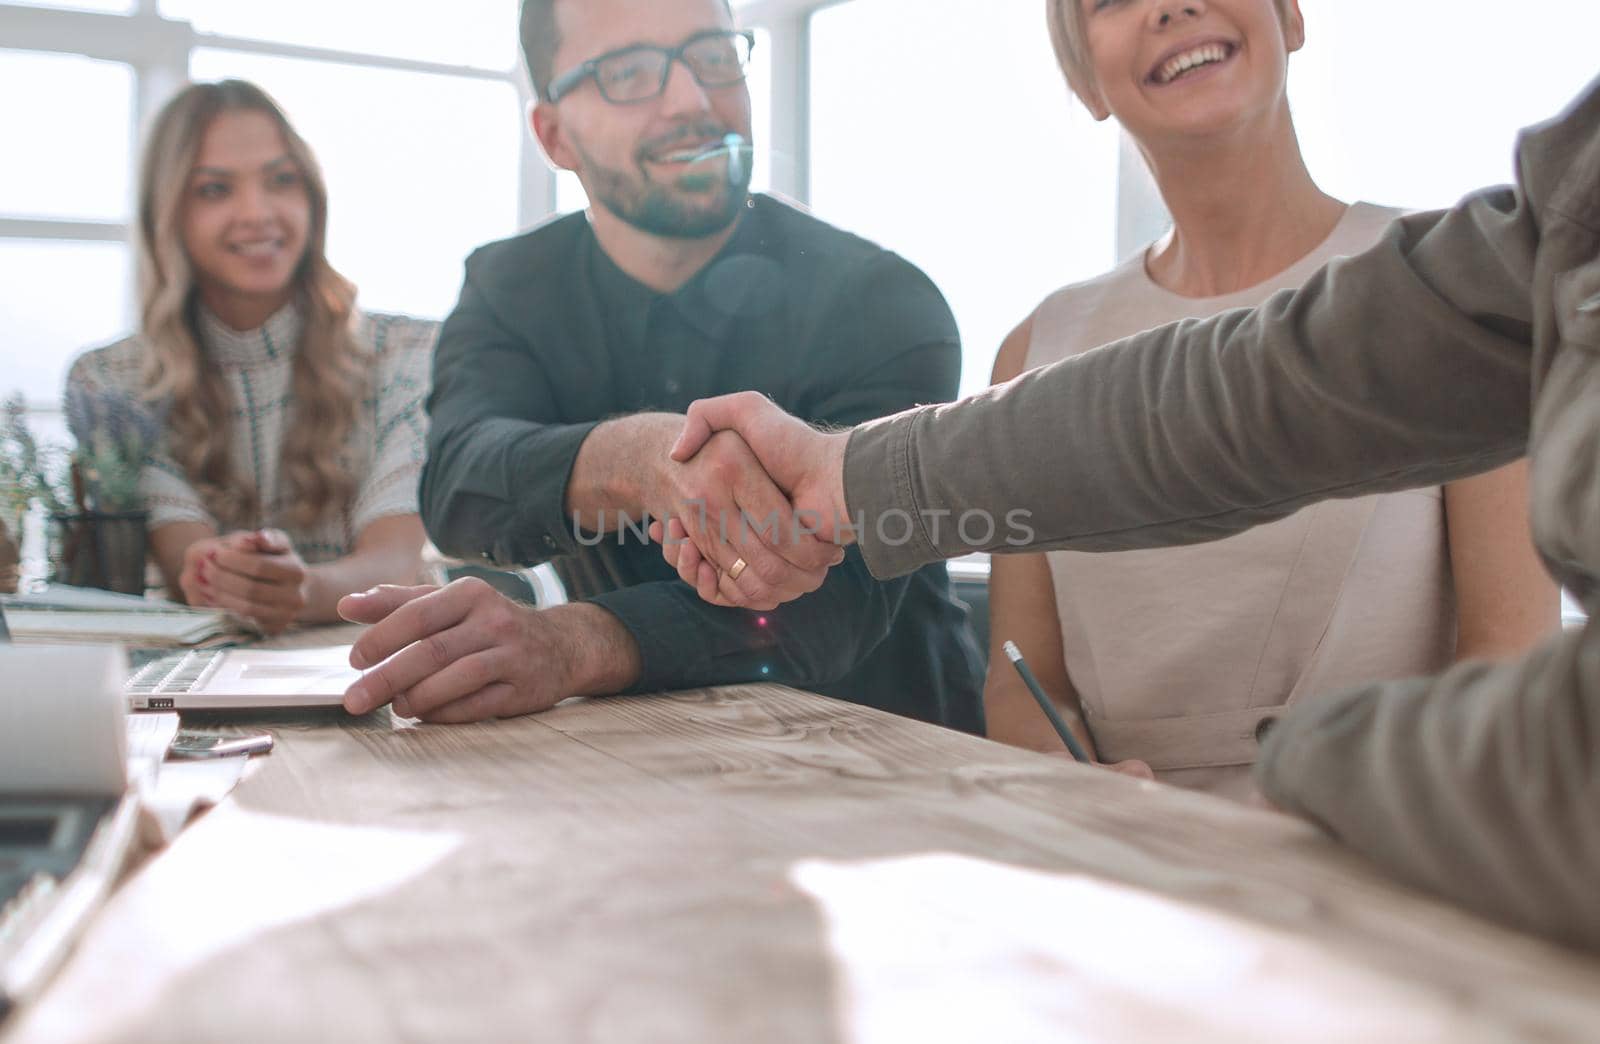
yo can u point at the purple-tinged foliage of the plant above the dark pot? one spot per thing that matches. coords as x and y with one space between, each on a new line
116 436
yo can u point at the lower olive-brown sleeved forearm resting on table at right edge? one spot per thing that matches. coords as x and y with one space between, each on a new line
1481 785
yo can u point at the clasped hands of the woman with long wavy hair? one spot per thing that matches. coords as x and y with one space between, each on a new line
257 576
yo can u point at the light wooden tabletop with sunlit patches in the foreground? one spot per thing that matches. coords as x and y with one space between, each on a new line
758 864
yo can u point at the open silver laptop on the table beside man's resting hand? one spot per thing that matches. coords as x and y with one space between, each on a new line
225 680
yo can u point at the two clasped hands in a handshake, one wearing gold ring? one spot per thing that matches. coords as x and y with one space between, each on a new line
758 513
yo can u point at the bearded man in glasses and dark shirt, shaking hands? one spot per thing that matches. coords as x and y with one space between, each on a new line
566 367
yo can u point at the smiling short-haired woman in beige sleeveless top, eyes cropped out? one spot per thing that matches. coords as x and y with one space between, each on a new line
1180 661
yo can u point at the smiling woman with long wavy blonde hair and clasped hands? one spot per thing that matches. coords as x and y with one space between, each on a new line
294 422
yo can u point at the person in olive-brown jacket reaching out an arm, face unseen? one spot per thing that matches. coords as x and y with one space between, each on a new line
1462 342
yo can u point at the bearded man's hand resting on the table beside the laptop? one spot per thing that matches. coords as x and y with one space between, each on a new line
466 652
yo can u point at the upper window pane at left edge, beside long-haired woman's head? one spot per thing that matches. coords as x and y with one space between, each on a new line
70 147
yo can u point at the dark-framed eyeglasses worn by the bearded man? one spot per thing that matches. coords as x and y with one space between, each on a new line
641 73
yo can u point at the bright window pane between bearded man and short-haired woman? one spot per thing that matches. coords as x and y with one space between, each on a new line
964 155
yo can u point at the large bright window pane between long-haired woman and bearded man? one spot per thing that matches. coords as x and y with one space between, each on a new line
422 169
